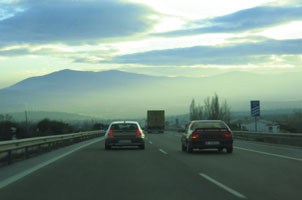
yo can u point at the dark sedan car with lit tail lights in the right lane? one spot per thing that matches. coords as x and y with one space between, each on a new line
207 134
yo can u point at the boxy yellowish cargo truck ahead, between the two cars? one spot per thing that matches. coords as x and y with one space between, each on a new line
155 121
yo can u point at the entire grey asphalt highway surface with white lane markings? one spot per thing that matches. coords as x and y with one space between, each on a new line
161 171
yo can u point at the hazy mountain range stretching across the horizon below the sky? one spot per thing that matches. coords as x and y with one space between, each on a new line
117 94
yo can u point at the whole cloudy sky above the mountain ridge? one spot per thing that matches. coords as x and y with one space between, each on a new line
170 37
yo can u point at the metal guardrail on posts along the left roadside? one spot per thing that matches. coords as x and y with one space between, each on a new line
13 145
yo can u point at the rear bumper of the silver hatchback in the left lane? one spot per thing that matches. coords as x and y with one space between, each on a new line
124 141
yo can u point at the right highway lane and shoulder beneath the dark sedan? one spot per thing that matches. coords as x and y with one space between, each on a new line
260 171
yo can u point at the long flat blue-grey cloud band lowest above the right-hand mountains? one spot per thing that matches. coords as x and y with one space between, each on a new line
236 54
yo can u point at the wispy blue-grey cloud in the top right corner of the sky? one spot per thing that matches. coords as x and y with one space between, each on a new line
249 19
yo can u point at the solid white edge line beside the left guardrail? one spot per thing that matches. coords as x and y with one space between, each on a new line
37 167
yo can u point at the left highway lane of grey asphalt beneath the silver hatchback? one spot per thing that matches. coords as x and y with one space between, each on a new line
93 173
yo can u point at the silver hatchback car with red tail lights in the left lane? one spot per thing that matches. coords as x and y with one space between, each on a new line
124 133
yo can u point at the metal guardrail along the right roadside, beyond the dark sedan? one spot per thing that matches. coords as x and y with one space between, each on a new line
294 139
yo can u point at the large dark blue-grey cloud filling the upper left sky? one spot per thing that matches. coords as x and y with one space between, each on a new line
73 22
